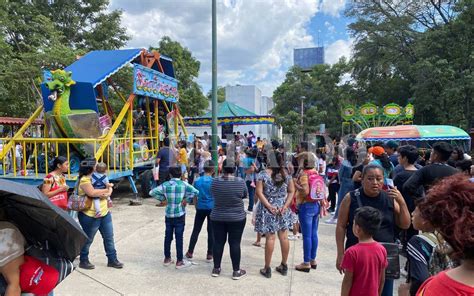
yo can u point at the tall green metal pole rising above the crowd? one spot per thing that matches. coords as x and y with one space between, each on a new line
214 83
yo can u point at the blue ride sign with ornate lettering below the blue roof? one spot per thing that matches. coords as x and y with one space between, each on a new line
150 83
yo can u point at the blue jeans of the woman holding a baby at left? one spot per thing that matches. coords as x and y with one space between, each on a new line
90 226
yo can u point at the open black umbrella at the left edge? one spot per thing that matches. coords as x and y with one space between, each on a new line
39 220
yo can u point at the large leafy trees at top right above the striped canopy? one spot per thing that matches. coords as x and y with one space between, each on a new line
415 50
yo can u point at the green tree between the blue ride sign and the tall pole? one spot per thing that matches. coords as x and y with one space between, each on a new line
192 101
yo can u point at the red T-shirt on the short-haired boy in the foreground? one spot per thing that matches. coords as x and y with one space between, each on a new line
366 261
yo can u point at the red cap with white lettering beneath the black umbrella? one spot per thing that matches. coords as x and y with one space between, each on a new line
37 277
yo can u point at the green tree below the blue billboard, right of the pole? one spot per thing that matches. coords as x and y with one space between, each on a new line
324 94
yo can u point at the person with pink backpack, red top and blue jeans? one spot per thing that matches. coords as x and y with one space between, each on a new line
310 192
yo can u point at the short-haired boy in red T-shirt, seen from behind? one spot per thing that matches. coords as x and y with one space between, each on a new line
364 263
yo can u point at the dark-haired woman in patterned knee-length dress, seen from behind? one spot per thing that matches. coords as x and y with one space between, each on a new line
275 190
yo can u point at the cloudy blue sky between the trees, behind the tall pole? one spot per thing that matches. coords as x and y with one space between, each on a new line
255 38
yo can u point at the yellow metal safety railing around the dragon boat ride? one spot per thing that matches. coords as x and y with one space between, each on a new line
32 157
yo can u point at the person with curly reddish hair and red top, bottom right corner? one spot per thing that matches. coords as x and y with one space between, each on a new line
449 206
